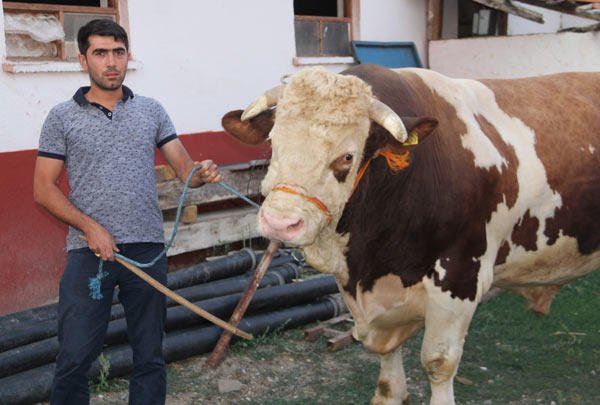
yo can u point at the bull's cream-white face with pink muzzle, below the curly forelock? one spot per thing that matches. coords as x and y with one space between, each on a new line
317 160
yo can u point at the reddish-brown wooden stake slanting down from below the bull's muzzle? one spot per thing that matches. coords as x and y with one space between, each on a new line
220 348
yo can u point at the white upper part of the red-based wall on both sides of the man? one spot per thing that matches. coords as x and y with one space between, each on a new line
199 59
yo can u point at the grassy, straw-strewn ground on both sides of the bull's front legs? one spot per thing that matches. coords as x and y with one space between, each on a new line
511 357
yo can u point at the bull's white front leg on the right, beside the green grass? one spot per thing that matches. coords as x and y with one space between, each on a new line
447 321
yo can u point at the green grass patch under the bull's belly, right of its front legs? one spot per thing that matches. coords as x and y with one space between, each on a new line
512 355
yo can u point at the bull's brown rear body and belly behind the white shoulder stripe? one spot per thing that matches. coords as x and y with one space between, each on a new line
563 111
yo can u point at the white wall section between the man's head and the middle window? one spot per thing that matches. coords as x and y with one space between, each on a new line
218 55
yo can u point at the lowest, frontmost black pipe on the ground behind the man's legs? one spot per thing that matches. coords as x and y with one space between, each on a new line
34 385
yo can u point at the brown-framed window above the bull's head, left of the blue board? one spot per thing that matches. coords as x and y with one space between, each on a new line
323 27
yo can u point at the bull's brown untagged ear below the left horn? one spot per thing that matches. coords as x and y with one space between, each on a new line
253 131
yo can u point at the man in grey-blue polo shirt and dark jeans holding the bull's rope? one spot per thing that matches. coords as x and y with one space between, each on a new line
105 138
